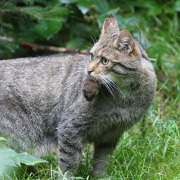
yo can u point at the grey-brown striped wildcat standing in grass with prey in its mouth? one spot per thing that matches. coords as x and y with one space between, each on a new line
65 101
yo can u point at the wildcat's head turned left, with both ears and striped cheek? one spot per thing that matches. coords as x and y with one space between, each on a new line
115 58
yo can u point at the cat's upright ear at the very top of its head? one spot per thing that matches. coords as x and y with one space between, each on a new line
110 25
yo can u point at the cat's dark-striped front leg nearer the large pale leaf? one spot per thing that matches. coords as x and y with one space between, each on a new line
70 148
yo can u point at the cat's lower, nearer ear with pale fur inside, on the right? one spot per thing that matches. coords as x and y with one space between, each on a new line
125 42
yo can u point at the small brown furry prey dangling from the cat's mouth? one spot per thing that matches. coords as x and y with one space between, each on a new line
90 88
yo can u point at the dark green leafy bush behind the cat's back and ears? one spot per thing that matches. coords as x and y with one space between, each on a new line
72 23
